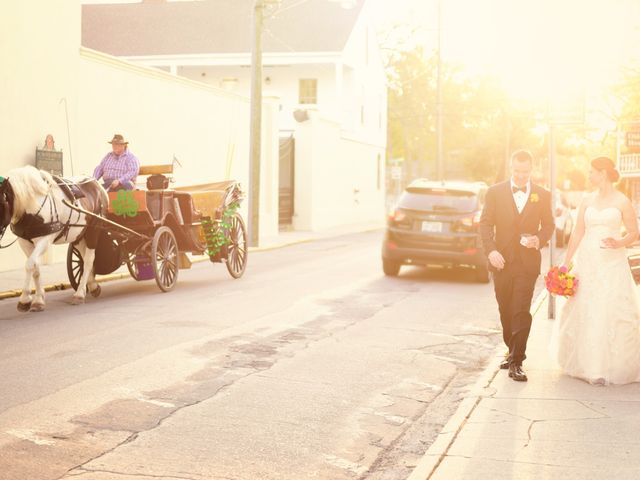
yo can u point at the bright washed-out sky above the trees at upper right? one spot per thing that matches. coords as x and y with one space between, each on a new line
536 47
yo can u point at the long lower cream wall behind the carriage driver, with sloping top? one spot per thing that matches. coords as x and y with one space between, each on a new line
204 127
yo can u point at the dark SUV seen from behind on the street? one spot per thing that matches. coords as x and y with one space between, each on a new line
436 223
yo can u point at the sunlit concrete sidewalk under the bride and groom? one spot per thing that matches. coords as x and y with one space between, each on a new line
551 427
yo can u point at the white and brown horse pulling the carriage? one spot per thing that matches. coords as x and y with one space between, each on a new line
31 202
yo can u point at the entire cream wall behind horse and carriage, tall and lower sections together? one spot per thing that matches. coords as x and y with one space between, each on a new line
44 68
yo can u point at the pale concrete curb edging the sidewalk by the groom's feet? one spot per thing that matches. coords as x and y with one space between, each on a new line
435 454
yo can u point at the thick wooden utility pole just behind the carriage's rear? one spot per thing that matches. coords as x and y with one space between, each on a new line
256 125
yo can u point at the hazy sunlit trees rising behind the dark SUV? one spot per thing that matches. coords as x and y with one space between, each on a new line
480 123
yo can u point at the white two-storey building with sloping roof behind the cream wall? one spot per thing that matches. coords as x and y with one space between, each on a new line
318 57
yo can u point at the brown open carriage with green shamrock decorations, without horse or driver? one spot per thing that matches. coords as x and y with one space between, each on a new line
153 230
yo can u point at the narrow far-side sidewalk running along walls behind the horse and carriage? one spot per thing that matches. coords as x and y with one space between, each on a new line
55 275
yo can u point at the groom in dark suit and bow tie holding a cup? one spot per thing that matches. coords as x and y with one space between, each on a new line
516 222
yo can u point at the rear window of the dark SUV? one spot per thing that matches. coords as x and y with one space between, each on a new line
438 200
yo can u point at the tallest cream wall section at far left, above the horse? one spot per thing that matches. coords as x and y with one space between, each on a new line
39 43
